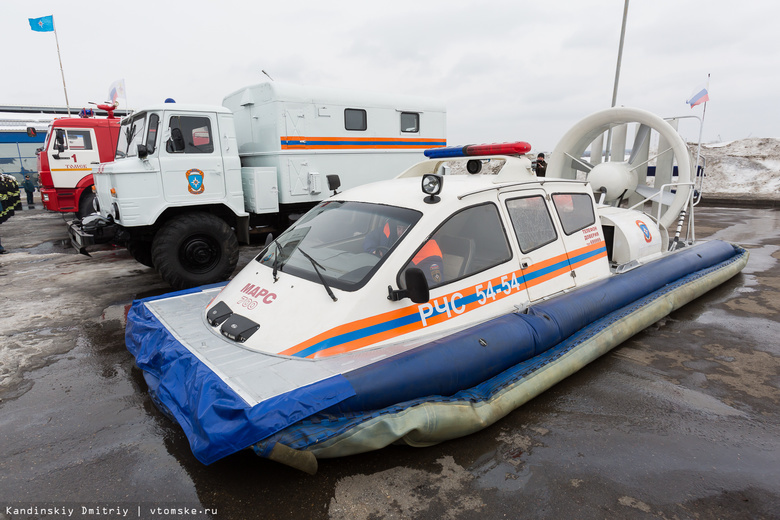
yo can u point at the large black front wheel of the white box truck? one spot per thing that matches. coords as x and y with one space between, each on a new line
195 249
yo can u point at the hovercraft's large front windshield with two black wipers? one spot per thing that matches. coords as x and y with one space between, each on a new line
346 241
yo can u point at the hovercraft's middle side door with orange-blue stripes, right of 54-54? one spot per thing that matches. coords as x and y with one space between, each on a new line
543 260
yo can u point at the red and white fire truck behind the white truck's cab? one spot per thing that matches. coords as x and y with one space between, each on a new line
73 146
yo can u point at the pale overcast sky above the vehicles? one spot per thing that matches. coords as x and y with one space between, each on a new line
507 70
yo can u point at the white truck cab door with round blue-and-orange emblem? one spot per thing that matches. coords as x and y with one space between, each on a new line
191 159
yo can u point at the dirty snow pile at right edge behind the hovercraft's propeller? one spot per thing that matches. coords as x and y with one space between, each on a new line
744 167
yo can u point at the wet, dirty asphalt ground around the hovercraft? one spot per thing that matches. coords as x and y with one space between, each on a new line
682 421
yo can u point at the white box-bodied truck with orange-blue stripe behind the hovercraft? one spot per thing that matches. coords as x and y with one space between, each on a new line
189 182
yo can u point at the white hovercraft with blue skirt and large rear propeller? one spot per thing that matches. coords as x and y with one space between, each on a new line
429 306
